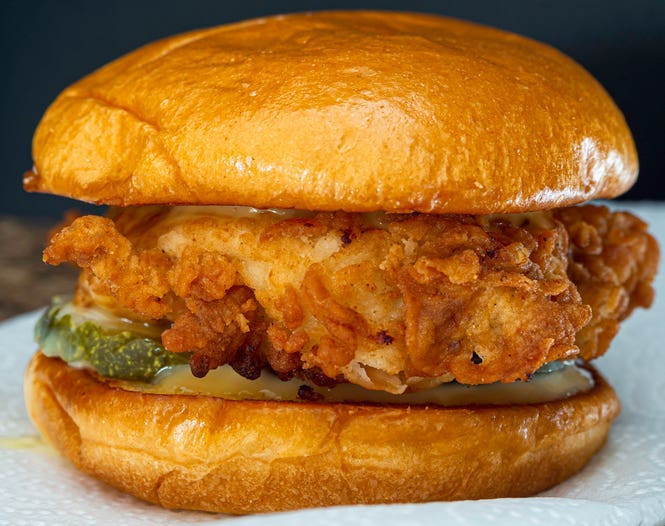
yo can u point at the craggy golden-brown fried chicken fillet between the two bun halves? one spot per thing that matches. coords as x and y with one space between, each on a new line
391 302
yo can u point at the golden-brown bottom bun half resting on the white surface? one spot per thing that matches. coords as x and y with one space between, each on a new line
198 452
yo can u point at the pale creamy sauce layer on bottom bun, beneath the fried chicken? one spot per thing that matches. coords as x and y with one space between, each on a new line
224 382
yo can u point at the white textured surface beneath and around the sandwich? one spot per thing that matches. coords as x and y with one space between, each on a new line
623 485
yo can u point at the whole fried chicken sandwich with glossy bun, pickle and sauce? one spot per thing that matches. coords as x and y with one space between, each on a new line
347 259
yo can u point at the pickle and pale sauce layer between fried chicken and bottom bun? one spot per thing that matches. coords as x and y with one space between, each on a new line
132 355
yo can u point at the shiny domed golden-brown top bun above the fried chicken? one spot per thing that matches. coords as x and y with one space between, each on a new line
356 111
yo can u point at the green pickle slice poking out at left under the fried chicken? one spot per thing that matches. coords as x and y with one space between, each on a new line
112 352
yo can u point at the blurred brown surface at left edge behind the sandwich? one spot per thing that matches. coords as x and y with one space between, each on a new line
26 283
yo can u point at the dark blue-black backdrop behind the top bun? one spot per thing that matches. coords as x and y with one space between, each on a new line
47 45
